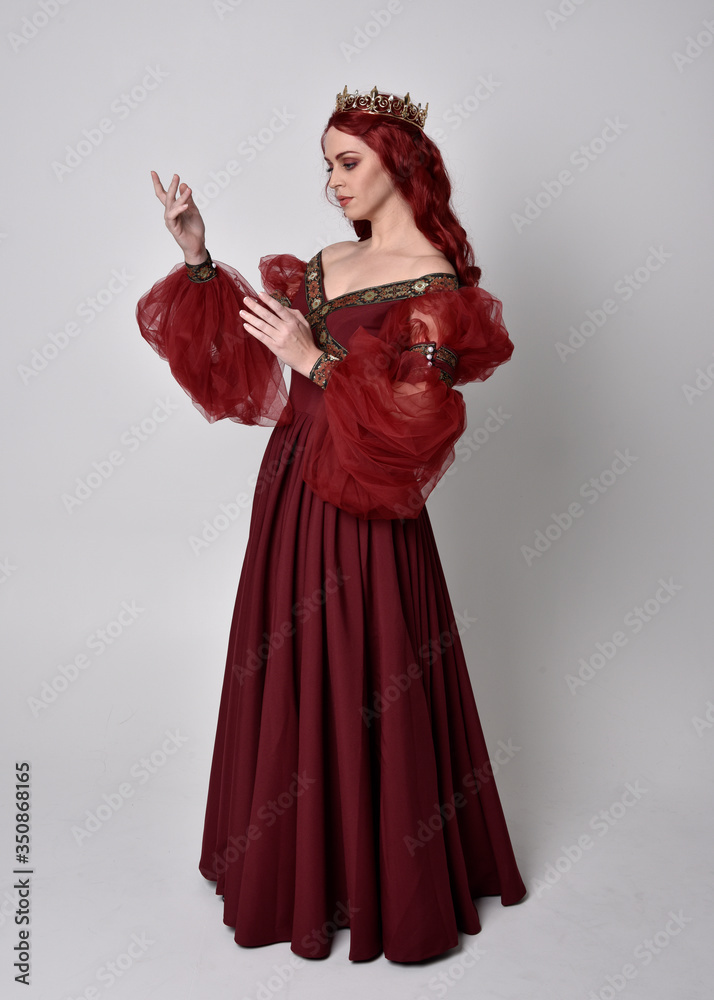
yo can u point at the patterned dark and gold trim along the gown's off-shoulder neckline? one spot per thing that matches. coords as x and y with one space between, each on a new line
320 307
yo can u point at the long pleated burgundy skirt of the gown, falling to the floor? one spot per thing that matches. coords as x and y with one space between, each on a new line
350 783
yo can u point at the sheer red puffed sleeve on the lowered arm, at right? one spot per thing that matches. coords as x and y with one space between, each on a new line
391 418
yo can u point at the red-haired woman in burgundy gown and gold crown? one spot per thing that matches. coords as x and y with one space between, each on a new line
350 782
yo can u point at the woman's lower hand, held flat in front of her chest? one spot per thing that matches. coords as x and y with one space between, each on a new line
284 331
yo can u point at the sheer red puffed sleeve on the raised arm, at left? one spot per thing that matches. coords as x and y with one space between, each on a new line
195 326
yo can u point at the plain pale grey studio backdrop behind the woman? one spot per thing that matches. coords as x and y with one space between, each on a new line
574 525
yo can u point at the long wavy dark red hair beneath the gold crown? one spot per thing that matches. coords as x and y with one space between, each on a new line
413 162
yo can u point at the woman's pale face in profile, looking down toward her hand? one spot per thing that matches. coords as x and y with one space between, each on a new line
357 177
